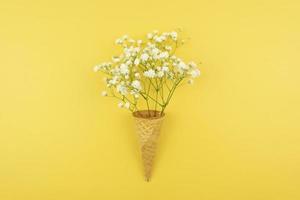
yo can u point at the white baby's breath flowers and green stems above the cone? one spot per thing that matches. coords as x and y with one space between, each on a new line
147 69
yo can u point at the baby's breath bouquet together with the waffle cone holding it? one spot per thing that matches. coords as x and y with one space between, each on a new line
144 78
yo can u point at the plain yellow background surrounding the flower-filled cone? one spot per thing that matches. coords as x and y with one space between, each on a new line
234 135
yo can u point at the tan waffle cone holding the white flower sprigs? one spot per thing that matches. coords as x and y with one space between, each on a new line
148 125
